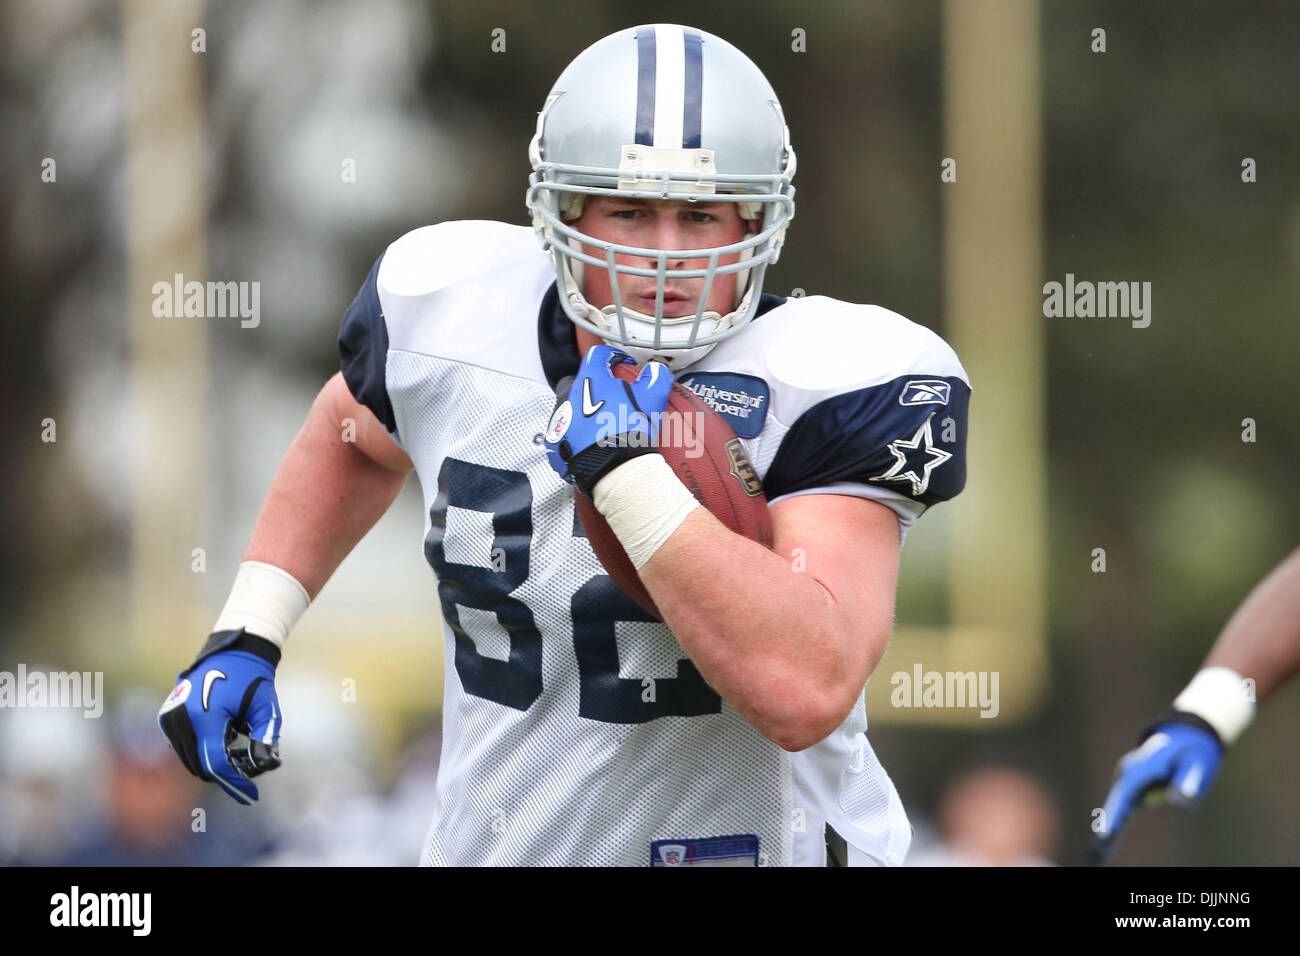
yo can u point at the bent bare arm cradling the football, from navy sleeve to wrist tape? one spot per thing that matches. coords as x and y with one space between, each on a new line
787 637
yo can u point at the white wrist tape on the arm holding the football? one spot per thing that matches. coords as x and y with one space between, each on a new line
644 501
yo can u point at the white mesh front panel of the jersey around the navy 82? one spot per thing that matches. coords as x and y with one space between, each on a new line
544 785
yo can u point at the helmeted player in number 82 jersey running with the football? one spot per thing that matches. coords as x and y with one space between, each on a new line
578 729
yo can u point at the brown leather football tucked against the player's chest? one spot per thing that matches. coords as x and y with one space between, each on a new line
722 479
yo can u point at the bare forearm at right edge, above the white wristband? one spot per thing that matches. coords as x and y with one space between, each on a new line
1263 639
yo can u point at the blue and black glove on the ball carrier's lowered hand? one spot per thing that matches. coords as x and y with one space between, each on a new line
223 719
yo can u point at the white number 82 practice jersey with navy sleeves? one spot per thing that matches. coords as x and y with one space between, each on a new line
554 754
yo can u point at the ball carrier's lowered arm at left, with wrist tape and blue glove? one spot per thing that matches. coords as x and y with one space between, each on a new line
339 477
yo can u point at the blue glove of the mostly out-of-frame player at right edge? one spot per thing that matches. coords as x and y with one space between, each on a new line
1175 763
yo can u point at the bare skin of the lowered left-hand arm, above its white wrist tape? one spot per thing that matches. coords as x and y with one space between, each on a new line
327 495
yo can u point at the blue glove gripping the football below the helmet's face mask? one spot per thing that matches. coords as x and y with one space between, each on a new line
601 422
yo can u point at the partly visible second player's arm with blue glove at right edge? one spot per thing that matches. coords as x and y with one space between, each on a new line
1178 756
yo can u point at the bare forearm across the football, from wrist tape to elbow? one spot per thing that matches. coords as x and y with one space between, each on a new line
772 641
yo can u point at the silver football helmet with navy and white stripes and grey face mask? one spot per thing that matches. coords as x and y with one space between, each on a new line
661 113
